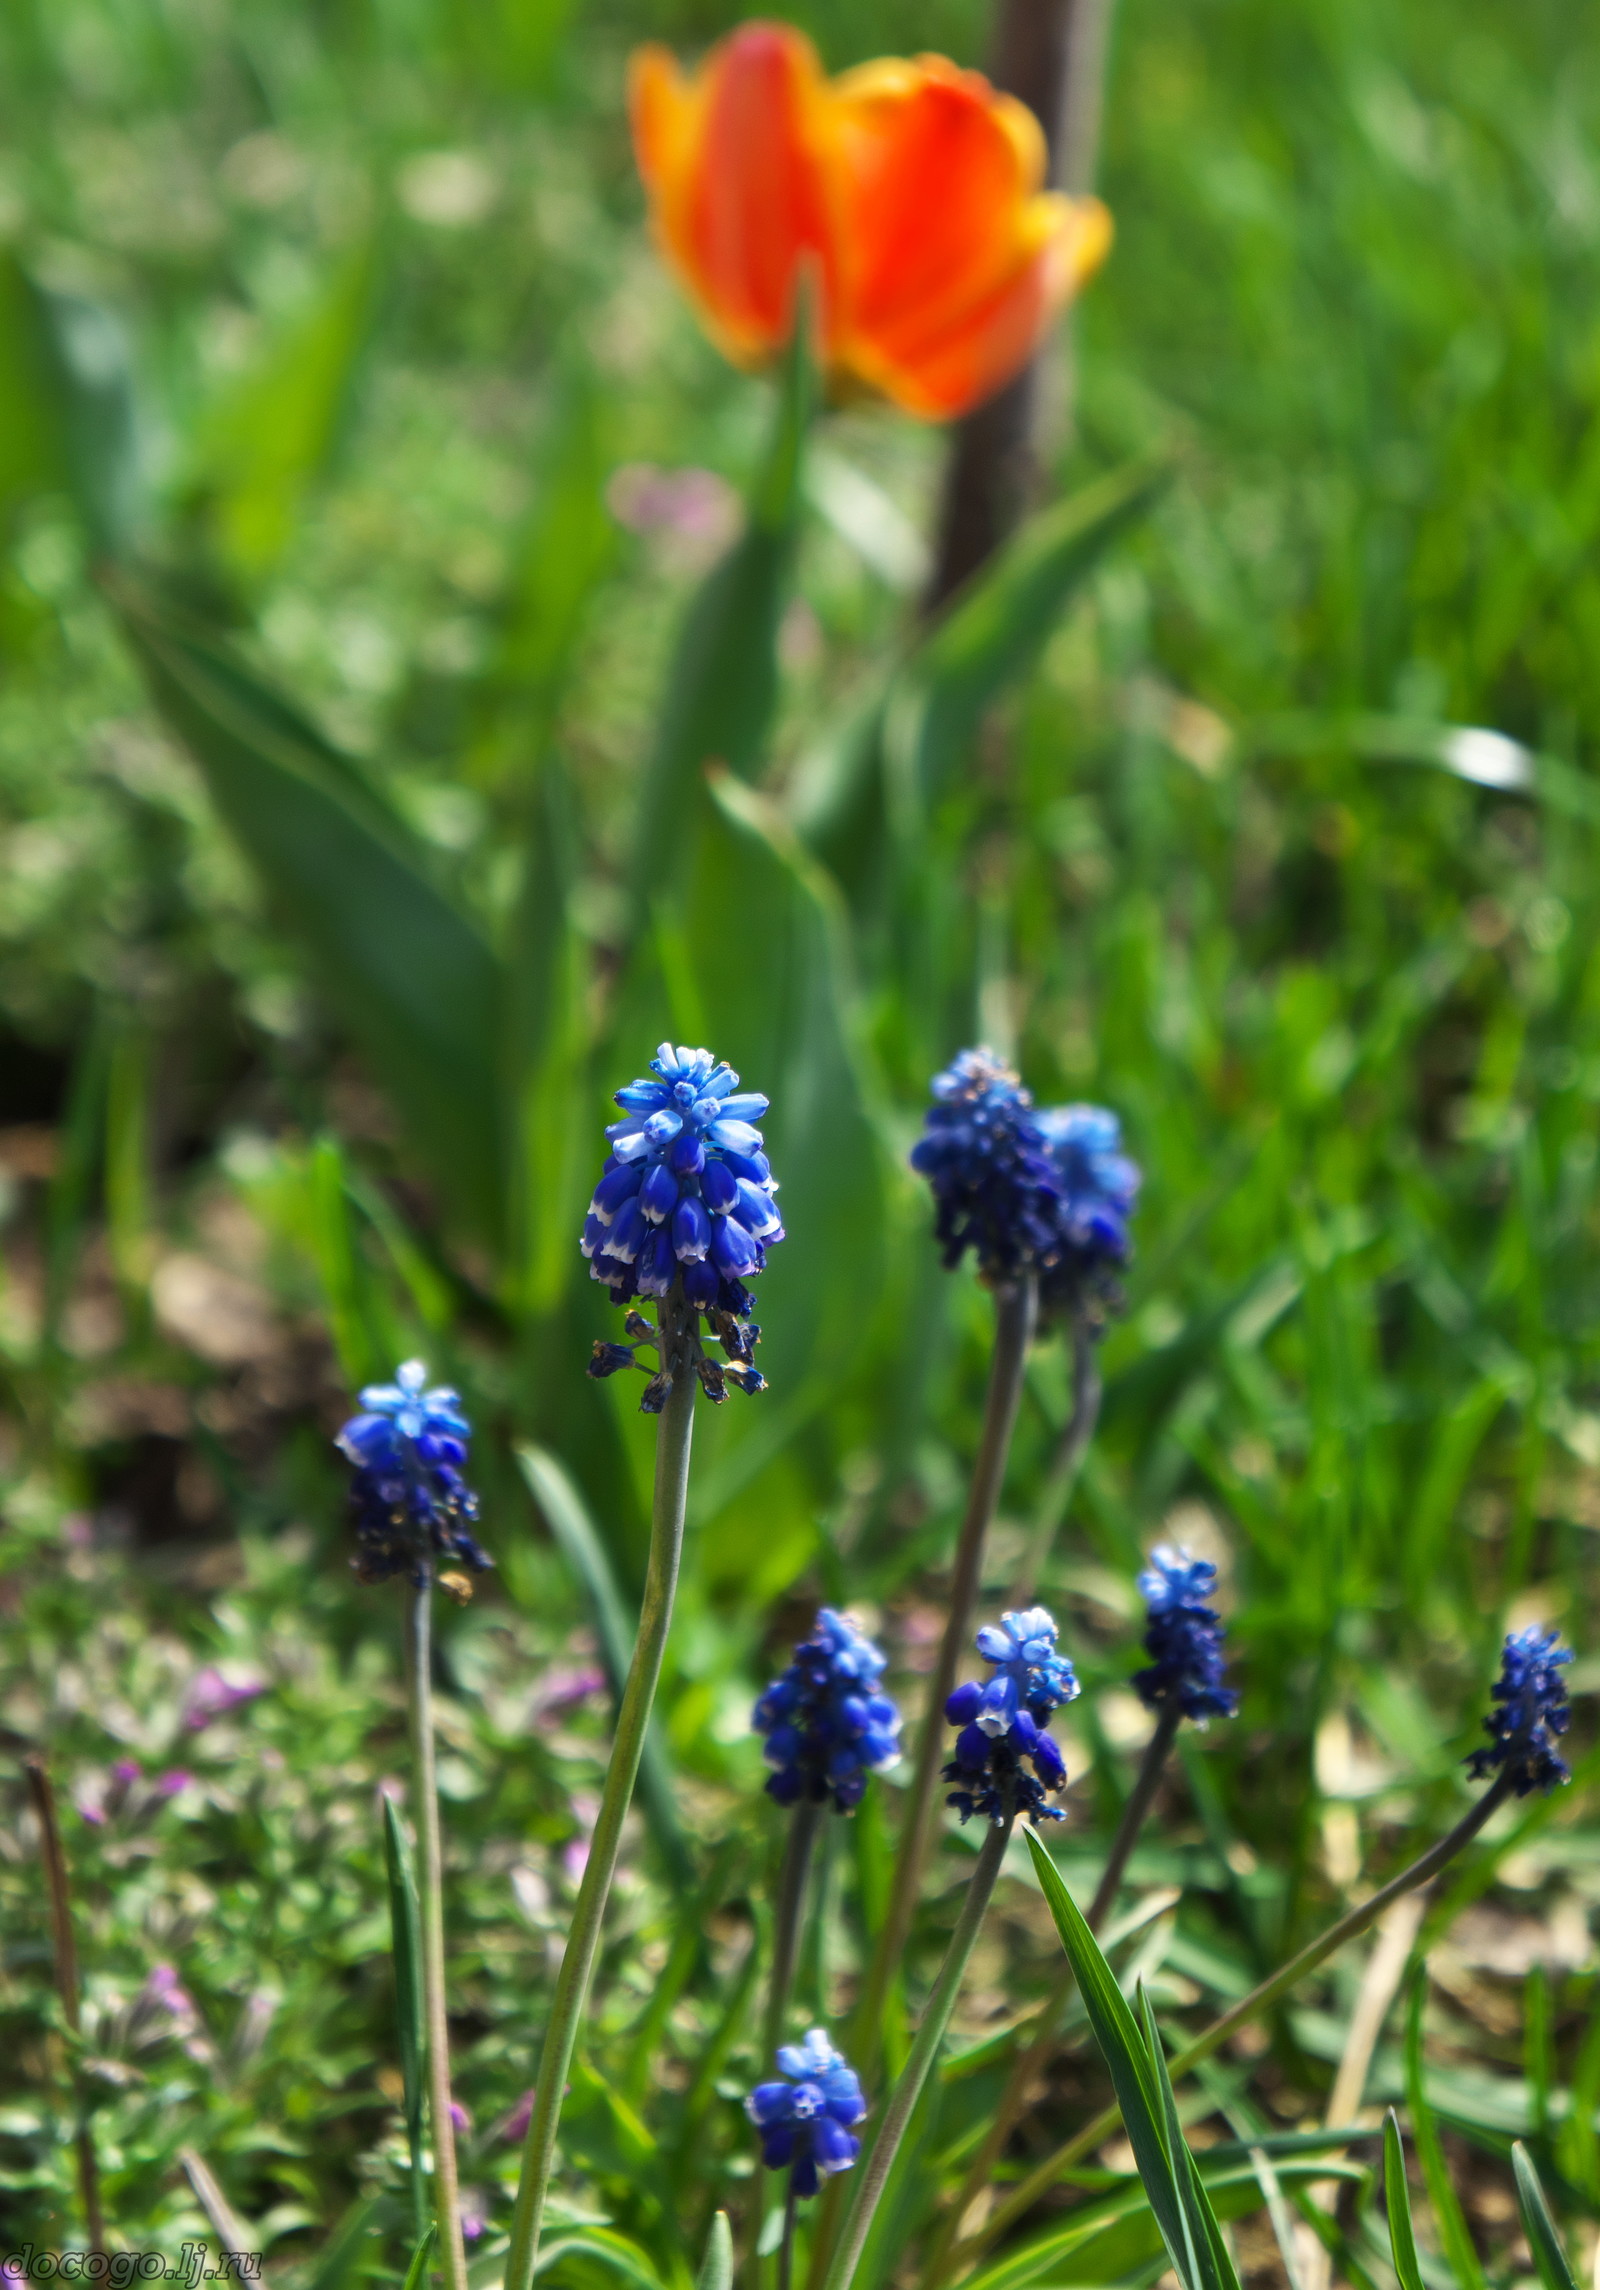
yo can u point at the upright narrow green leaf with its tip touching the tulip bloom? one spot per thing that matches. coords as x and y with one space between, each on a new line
724 684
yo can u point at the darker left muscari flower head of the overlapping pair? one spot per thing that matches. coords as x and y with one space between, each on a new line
990 1164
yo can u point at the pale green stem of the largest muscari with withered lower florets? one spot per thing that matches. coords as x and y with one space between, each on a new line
656 1613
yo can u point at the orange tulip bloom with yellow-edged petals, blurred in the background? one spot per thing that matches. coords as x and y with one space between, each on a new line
910 189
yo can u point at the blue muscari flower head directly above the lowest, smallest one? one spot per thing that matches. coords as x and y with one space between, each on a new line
827 1726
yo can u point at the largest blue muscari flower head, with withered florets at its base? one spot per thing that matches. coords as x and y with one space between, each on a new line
686 1208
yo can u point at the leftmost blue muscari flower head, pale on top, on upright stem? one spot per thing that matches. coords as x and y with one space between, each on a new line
409 1497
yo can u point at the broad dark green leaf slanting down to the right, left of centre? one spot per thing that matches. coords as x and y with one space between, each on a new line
413 979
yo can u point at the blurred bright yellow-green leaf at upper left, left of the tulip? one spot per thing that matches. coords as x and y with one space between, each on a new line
276 429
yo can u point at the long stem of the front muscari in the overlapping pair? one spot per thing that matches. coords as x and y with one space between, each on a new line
1017 1311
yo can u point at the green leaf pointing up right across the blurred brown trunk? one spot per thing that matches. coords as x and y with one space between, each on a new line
997 629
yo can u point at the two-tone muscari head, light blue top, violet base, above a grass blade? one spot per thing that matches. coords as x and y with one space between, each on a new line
1006 1762
